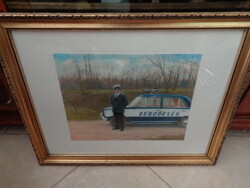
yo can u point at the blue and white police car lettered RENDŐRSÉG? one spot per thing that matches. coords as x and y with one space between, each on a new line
154 109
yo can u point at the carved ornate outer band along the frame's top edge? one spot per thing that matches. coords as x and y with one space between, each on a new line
129 16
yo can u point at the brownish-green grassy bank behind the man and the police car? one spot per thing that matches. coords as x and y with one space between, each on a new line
88 105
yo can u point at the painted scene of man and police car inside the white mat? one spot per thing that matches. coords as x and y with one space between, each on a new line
155 94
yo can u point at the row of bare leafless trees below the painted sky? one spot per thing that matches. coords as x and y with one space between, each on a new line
170 74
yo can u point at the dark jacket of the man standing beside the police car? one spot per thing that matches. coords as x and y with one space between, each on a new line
119 103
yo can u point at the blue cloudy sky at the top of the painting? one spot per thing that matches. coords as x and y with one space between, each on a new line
119 63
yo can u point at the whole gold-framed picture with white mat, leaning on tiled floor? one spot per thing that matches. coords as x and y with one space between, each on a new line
126 88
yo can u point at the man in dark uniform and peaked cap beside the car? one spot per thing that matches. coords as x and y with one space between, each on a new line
119 102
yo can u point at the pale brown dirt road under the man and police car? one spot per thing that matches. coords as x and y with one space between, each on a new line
102 130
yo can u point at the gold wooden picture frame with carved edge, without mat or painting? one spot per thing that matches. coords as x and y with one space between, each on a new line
147 21
